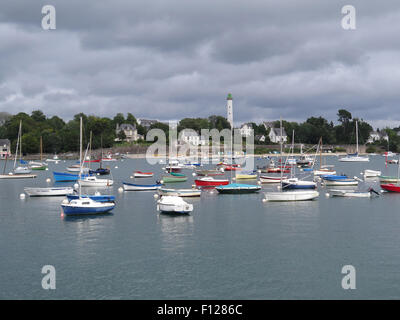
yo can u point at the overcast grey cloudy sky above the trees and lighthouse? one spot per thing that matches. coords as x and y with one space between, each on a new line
170 59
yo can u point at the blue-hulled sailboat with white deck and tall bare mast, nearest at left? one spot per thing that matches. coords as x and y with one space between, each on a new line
85 205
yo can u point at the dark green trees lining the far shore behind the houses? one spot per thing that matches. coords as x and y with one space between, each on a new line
60 136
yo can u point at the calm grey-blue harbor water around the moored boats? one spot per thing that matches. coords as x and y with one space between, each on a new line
230 247
